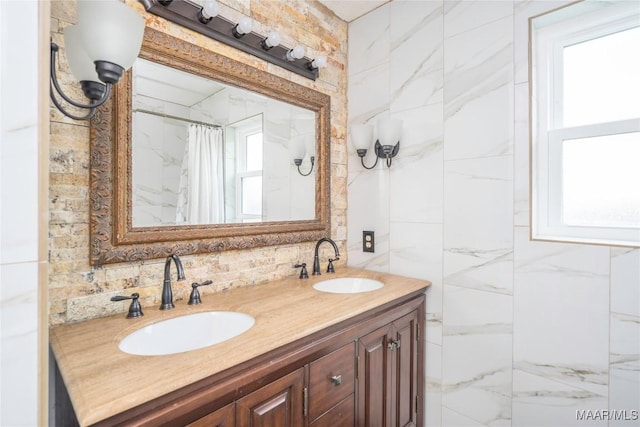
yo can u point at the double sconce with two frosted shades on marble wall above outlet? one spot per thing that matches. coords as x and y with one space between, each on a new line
387 145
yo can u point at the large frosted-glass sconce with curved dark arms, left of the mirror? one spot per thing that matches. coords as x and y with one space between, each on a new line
100 48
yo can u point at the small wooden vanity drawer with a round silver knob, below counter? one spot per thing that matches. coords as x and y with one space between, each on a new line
331 379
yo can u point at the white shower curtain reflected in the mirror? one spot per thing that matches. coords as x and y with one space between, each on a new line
200 196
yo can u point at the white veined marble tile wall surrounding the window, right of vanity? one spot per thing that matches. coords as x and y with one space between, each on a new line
520 333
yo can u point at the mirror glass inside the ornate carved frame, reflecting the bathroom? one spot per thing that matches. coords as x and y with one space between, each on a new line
204 152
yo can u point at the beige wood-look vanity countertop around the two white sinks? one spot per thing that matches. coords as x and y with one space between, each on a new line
103 381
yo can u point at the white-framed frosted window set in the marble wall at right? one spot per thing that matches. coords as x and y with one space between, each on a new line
585 124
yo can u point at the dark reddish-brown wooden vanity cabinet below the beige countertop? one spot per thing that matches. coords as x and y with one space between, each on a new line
366 371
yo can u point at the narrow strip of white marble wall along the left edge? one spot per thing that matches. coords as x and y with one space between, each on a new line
19 215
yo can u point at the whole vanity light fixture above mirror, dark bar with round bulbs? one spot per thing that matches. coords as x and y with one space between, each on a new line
206 20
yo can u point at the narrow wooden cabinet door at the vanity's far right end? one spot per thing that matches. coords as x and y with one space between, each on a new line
403 359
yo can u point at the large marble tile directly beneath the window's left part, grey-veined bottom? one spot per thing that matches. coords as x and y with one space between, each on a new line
561 311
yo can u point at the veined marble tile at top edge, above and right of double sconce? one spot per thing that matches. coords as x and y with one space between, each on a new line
416 59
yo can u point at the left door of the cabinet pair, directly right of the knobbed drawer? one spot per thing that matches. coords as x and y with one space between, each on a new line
374 378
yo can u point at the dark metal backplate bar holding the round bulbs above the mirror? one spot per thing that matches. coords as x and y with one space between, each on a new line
185 13
